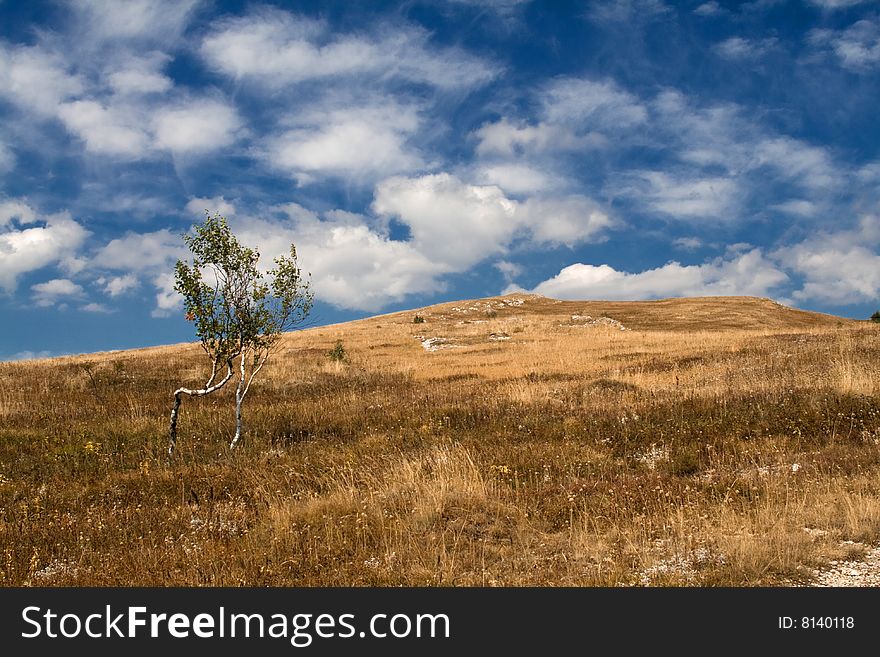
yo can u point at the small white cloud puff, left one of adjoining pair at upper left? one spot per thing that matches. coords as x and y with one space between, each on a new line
104 130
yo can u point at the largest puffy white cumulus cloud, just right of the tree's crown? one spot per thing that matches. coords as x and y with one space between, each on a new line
452 226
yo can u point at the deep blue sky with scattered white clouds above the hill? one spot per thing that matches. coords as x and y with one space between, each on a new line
418 152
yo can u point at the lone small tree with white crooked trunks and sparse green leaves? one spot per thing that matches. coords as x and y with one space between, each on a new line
238 315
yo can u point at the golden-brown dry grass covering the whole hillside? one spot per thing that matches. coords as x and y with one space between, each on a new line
717 442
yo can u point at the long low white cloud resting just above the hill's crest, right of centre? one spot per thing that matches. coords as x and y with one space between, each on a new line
748 273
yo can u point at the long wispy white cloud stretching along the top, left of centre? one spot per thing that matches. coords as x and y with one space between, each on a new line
276 49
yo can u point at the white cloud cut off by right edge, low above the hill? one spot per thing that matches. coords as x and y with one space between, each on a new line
838 268
